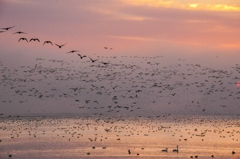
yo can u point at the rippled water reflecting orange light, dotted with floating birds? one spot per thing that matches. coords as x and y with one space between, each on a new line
113 137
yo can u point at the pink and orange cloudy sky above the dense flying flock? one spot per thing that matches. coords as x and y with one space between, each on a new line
199 31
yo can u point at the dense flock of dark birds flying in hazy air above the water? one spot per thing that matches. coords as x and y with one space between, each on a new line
118 84
